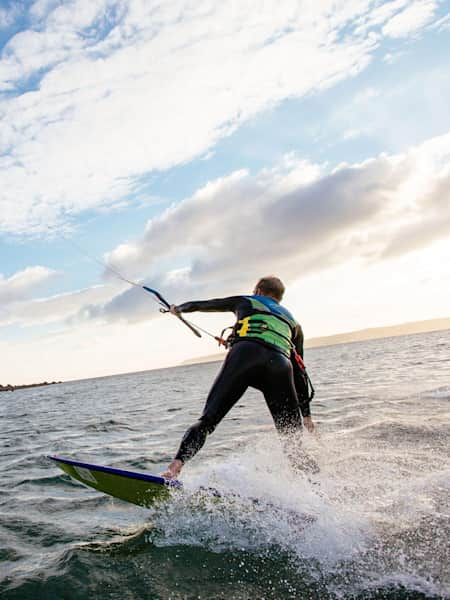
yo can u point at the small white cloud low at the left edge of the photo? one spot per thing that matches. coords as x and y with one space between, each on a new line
23 284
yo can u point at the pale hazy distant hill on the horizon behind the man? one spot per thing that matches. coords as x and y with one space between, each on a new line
359 335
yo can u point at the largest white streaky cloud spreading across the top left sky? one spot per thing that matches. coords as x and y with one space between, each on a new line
101 93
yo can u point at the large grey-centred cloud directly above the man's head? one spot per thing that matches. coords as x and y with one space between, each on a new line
240 227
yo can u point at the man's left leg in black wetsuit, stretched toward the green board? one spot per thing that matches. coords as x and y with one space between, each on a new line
233 379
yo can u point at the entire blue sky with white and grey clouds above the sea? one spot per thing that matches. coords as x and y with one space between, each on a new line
196 145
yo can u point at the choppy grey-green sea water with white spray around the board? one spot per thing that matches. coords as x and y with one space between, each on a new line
378 510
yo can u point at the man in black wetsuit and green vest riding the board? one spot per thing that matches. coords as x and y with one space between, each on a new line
263 348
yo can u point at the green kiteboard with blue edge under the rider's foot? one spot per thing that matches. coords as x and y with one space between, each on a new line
139 488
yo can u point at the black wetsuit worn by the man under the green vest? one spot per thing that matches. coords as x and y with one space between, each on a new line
250 362
